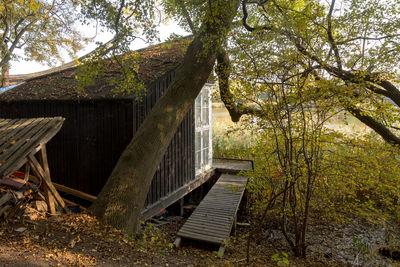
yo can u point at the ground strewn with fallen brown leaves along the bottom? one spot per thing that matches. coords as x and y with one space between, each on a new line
80 240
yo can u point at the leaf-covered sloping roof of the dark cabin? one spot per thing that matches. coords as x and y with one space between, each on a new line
155 61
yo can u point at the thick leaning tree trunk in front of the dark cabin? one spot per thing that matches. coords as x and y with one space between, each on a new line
121 200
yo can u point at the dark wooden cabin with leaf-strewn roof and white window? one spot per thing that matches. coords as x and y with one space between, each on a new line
99 124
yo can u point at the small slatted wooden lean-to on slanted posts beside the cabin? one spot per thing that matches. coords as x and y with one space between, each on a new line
23 142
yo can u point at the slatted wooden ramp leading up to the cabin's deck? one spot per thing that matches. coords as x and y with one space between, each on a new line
213 219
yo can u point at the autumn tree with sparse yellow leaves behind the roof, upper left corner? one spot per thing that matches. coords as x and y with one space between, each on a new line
42 30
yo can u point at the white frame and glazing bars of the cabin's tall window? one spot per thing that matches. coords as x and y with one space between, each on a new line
203 127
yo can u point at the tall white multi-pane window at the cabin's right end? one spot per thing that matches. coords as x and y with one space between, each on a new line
203 134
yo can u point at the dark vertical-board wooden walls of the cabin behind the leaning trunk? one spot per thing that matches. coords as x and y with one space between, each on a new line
84 152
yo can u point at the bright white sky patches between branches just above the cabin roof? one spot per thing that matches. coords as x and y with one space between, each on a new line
25 67
